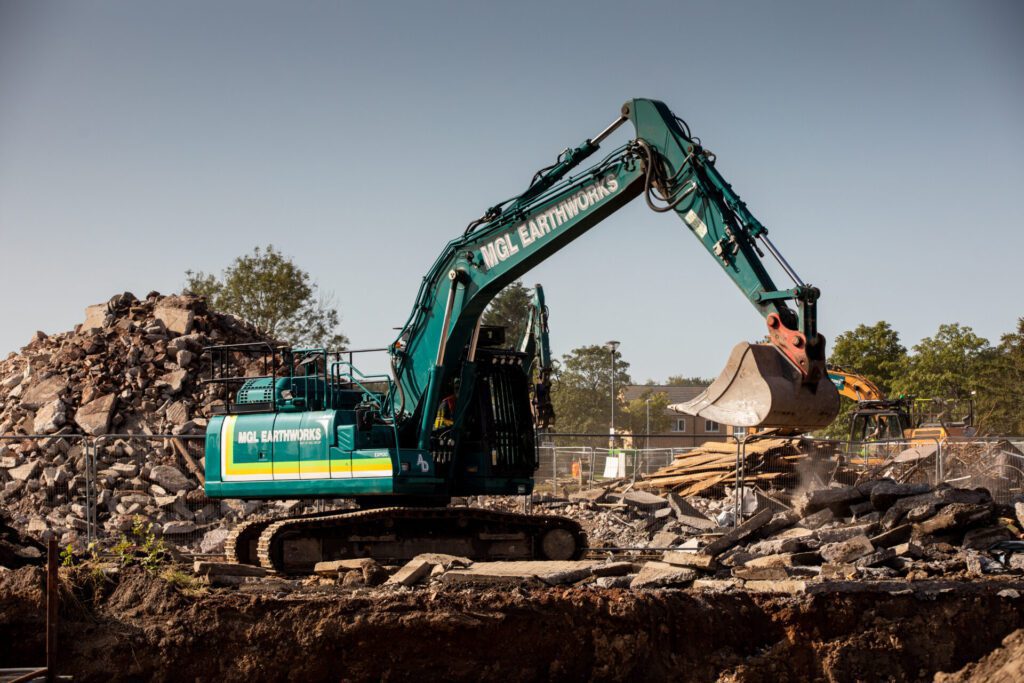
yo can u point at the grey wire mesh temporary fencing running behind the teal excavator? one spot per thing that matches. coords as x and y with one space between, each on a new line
82 489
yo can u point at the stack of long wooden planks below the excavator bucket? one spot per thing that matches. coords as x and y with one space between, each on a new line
709 468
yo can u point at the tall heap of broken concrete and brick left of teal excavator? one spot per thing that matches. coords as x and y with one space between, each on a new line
132 368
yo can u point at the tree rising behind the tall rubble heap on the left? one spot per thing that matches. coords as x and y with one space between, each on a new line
268 289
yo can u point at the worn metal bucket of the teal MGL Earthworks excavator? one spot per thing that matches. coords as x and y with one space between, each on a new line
760 388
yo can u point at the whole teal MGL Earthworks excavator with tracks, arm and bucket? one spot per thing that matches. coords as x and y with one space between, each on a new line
311 425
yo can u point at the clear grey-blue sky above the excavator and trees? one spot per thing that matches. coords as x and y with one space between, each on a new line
881 143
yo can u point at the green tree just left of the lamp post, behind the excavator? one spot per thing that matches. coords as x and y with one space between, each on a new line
581 391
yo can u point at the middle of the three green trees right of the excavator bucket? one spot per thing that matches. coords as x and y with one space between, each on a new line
947 366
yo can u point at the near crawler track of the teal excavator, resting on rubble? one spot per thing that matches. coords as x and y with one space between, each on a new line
395 535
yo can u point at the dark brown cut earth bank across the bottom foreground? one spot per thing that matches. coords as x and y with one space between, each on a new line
140 627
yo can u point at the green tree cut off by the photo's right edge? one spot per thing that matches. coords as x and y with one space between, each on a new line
1001 397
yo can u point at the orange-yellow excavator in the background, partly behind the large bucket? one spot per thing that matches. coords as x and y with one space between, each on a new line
922 421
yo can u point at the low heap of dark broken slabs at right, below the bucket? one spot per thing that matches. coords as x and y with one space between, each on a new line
877 530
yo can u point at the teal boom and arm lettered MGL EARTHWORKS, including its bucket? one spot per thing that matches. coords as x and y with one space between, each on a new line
672 170
